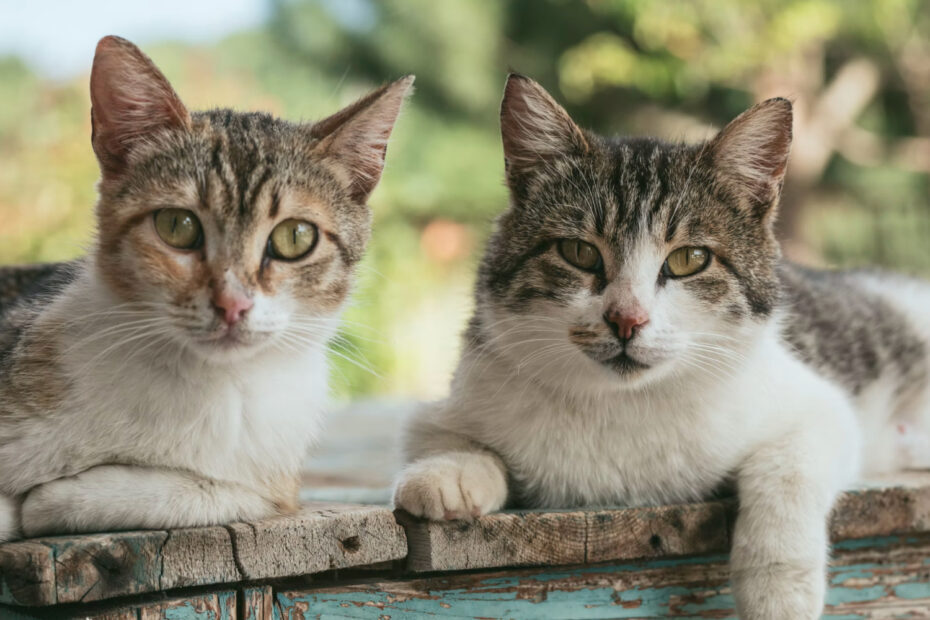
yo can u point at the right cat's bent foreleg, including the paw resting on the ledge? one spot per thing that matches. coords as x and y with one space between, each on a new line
451 477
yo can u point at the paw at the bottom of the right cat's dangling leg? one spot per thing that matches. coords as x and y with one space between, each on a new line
776 592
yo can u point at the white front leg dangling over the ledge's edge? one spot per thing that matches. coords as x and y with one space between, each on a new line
780 543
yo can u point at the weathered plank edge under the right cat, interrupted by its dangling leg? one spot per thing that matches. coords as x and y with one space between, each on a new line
881 507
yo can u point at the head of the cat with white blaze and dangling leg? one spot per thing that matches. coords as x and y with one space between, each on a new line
622 261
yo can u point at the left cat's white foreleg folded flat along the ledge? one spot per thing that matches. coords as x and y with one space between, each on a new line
120 497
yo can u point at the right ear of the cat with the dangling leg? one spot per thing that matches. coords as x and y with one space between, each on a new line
751 153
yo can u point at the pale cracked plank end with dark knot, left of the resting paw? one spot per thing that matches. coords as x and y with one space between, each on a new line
321 537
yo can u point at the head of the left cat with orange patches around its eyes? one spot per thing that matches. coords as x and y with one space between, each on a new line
228 231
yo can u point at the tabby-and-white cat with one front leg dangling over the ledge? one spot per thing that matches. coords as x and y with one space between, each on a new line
637 339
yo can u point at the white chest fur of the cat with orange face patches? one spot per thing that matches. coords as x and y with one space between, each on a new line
249 421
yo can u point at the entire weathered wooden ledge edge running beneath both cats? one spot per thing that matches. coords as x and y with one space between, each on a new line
327 536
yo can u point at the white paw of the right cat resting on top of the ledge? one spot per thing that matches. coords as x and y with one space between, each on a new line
457 485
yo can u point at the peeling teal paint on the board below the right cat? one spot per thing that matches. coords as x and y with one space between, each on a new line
500 596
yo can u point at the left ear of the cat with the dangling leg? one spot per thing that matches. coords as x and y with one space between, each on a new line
535 128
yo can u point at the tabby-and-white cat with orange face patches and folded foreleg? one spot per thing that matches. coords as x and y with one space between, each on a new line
177 375
